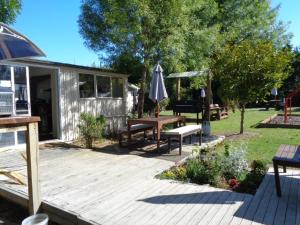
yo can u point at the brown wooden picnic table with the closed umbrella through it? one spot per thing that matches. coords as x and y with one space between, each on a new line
157 122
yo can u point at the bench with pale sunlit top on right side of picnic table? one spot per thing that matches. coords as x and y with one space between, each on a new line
182 132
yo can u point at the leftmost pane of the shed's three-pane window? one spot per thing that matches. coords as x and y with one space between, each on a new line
86 86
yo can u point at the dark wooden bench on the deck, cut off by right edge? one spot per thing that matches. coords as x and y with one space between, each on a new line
287 155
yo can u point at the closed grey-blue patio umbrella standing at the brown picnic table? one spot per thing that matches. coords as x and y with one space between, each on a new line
157 91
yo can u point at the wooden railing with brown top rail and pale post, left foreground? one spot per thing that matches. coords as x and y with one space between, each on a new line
30 125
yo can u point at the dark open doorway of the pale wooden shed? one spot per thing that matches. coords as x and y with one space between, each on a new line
44 100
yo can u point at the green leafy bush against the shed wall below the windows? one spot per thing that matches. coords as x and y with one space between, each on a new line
91 127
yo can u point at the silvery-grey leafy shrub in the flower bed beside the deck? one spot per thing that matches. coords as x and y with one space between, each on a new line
234 162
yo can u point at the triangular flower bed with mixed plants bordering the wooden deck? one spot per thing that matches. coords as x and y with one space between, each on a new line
228 170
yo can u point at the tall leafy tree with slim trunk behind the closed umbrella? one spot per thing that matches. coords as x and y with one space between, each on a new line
148 30
